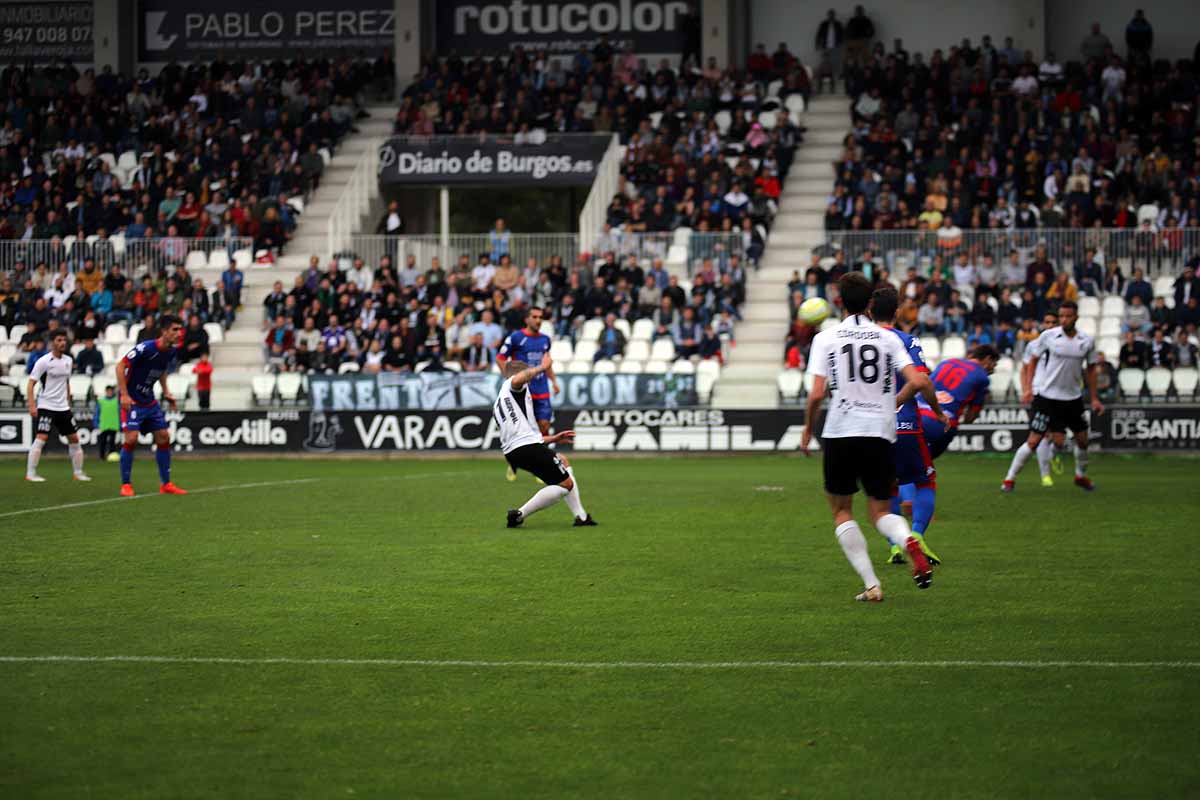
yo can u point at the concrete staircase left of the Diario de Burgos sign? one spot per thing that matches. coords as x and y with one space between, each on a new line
241 356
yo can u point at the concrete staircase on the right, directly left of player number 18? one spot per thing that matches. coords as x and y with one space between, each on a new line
748 381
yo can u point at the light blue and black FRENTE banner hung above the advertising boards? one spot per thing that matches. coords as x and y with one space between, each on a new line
389 392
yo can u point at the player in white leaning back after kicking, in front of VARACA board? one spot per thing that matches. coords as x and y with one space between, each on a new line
526 448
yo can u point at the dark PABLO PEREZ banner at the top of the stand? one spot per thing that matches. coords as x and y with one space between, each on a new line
269 29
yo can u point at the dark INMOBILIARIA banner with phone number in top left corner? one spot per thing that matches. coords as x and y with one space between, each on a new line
41 32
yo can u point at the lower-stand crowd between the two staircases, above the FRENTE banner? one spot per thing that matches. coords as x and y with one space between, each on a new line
389 318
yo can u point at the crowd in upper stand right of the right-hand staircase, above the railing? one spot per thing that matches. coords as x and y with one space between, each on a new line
986 137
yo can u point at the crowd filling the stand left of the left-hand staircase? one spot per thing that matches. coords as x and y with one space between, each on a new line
211 152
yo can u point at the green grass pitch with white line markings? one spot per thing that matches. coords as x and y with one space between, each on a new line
695 562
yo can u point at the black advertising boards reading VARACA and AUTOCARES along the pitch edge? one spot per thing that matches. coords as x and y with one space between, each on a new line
1000 430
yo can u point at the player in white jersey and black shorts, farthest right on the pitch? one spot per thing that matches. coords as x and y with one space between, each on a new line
1052 383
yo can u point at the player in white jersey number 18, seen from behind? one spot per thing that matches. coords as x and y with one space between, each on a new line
859 363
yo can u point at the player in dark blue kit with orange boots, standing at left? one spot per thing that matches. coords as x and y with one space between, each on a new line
136 375
